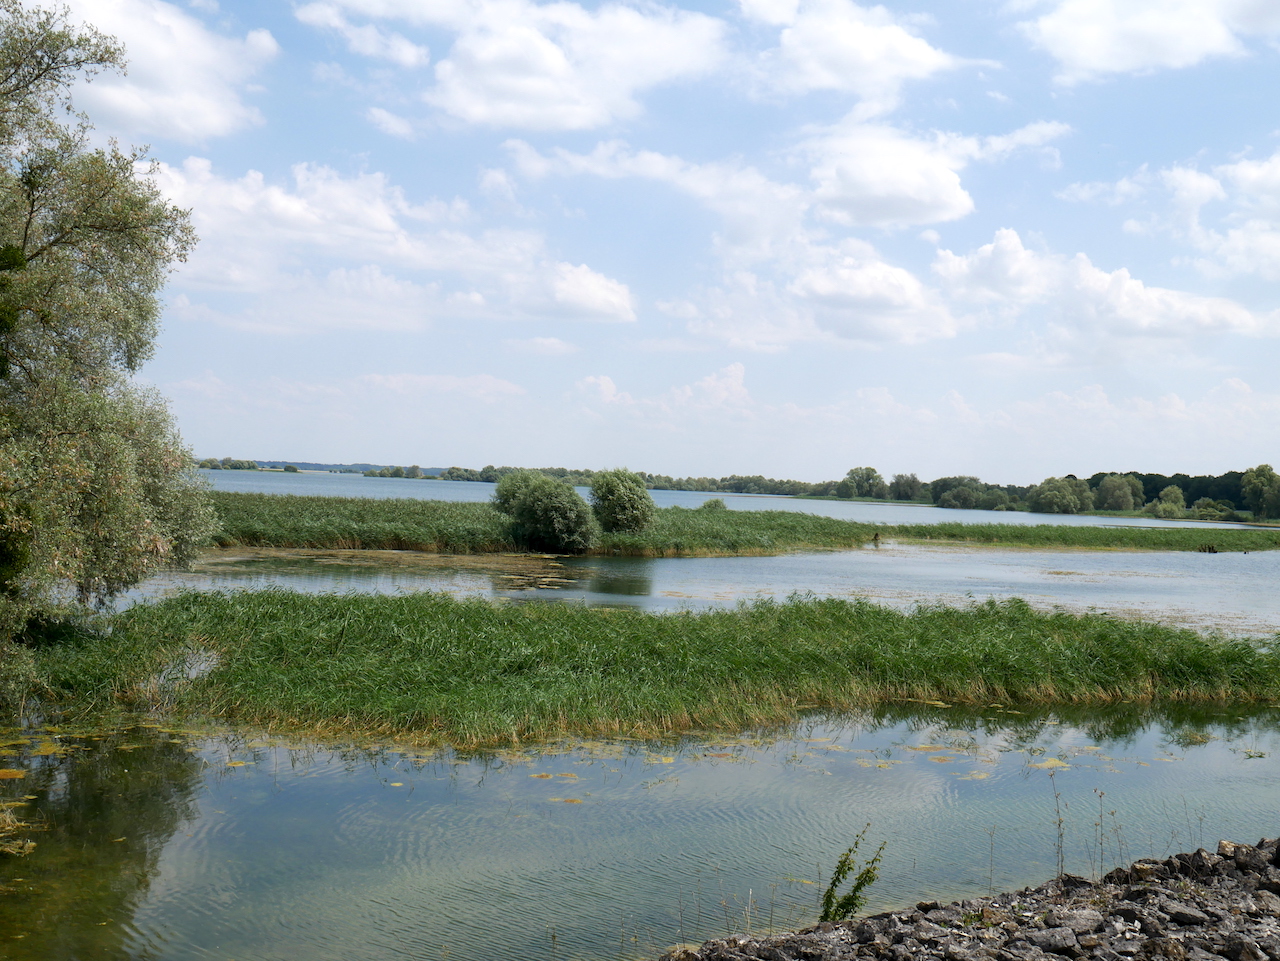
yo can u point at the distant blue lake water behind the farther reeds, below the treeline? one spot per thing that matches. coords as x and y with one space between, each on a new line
355 486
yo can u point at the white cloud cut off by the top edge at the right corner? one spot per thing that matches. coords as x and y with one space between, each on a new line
1092 39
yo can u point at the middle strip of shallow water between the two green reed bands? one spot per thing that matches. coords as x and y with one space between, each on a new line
1231 592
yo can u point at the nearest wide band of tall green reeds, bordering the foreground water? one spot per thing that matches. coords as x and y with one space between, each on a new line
472 672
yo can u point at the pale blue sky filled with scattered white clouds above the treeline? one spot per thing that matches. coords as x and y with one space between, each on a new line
783 237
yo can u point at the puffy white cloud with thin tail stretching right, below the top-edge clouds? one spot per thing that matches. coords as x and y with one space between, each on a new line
875 175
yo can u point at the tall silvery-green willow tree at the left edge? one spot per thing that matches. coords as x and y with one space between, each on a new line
97 488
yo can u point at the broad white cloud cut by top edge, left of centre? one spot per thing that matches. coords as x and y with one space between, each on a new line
555 66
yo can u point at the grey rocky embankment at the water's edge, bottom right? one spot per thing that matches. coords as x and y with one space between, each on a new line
1191 908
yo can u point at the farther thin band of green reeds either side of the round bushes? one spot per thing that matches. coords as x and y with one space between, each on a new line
289 521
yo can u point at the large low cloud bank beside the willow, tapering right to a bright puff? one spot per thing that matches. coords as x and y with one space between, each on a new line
332 251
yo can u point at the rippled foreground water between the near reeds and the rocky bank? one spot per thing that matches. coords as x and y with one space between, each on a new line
194 845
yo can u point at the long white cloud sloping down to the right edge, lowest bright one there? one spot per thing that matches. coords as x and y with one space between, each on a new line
1081 298
